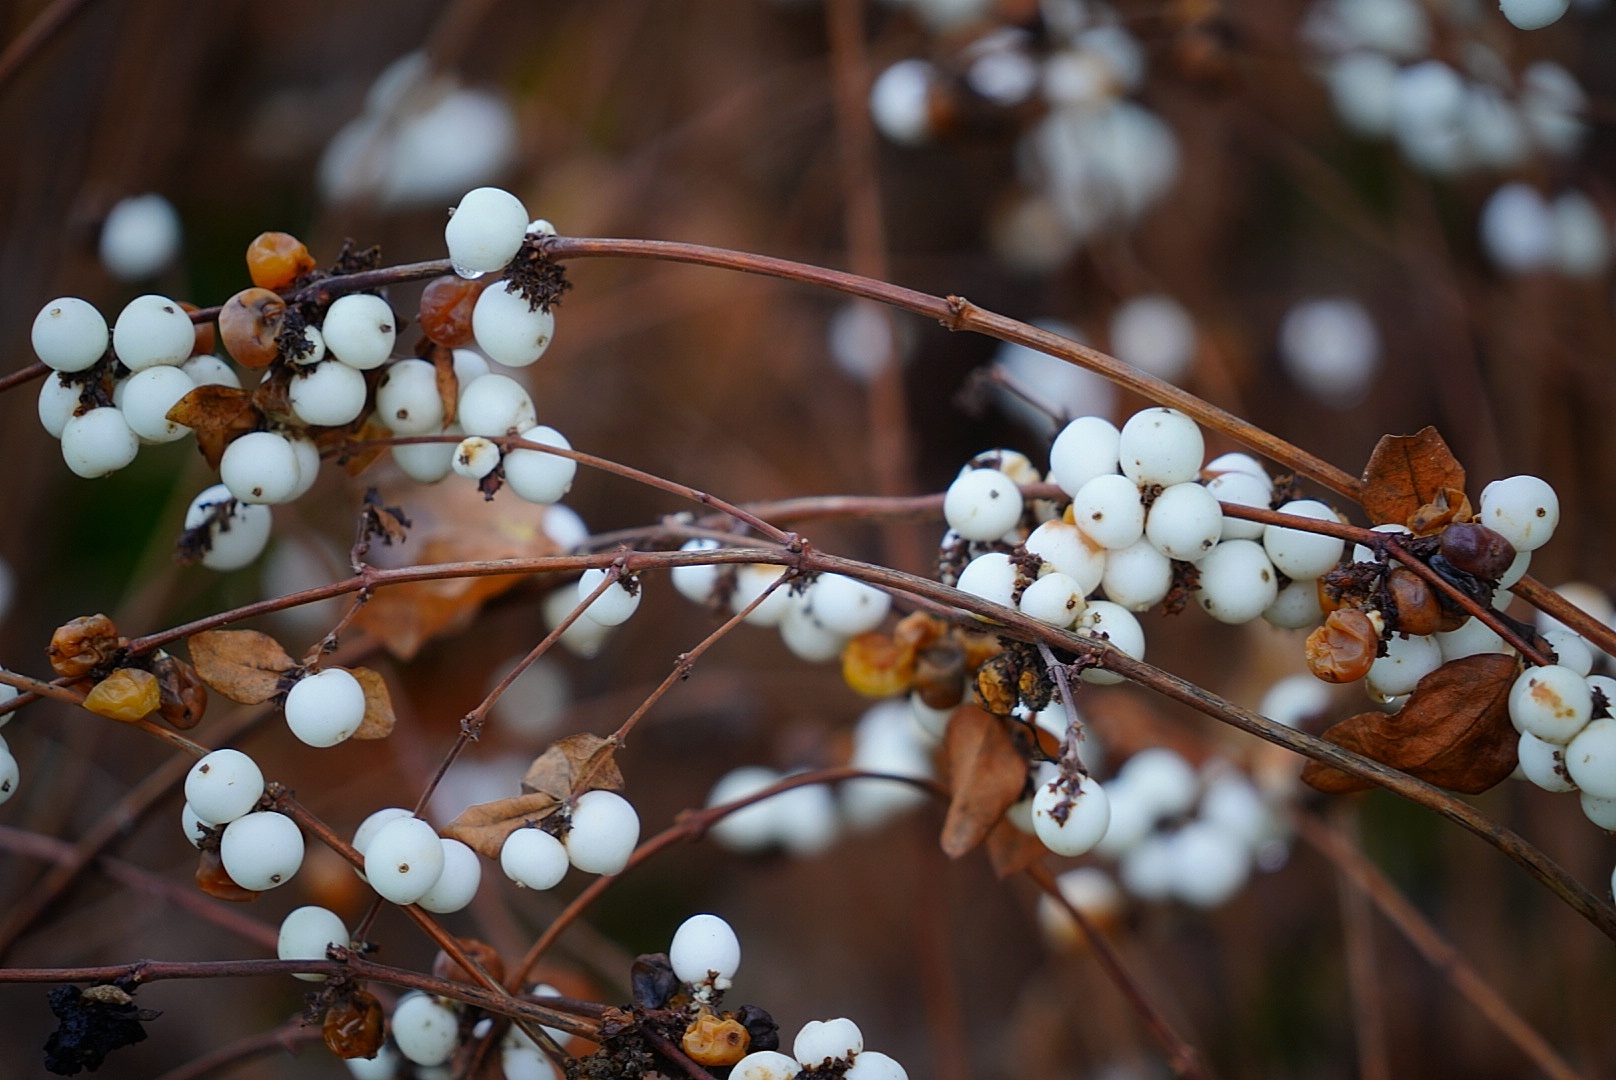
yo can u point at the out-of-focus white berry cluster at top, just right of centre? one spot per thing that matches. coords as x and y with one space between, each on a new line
1093 161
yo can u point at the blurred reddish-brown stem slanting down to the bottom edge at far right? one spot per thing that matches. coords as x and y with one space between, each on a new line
1368 880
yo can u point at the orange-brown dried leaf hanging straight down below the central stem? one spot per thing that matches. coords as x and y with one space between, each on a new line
987 775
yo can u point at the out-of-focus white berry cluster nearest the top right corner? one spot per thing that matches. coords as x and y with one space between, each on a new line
1387 83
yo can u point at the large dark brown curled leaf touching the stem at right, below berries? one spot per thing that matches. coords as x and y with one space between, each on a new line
1454 732
